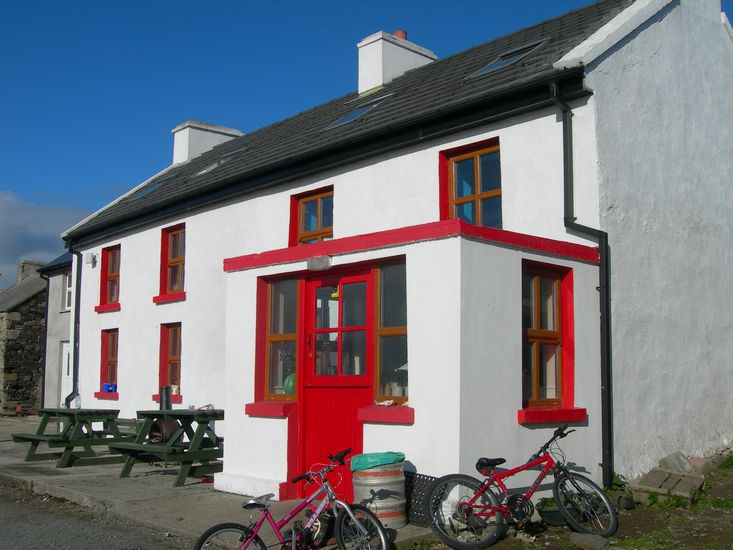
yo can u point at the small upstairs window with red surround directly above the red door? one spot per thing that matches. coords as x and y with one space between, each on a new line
312 217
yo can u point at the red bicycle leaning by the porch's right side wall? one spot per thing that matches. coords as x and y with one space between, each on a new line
468 514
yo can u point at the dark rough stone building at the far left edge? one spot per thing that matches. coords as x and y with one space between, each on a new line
22 338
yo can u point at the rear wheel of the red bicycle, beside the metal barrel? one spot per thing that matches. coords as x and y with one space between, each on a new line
456 524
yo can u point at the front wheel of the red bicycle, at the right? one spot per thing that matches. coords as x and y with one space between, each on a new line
584 505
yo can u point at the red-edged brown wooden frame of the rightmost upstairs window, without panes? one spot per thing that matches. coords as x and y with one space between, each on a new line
446 171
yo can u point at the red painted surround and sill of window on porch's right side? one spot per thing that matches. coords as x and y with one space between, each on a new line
563 408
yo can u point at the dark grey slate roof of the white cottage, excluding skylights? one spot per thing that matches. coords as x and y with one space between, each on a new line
427 92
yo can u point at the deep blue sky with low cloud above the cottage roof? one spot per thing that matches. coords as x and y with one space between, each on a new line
90 90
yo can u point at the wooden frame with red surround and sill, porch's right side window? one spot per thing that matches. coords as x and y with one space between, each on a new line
562 408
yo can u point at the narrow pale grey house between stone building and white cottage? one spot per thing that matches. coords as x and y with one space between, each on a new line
58 374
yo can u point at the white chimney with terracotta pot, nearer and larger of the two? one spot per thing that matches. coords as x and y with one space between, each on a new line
383 57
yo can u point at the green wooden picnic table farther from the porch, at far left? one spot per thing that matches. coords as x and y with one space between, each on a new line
76 435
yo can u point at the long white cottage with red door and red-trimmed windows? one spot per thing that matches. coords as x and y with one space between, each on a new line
441 240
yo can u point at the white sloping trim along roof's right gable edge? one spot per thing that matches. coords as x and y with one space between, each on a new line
611 33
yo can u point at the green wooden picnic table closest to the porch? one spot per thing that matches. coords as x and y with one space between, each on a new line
197 450
